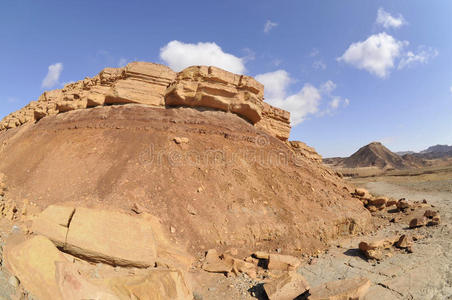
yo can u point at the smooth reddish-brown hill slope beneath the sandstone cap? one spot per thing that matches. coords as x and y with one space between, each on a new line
221 187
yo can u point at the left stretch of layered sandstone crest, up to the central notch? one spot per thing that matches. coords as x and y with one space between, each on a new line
138 82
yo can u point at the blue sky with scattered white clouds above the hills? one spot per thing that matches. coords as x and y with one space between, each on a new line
350 72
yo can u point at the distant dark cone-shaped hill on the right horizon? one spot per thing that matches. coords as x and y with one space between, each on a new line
376 155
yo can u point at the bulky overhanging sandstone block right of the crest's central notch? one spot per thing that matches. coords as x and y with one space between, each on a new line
201 86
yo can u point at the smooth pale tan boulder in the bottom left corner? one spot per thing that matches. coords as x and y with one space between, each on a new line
33 263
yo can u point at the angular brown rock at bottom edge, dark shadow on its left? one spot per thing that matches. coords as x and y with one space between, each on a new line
289 286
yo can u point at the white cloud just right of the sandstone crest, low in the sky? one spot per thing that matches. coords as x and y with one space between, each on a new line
302 104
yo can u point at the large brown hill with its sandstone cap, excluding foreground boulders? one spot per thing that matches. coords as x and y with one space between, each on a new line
199 149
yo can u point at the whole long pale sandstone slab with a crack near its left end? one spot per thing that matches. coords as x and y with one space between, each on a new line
99 235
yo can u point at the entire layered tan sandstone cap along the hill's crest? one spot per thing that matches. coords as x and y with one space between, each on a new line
157 85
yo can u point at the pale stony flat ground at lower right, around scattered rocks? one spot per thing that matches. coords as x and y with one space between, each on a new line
424 274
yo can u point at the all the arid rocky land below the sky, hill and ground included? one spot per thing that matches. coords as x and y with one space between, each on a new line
143 183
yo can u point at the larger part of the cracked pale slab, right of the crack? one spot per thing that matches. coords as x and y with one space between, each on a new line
111 237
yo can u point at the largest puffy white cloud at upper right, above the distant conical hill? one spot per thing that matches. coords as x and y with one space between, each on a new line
375 55
